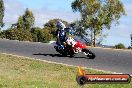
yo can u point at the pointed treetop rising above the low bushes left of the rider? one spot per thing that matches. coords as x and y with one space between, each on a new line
27 20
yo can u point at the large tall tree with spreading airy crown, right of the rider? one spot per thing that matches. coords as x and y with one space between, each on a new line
97 15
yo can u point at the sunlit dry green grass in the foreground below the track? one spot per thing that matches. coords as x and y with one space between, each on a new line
16 72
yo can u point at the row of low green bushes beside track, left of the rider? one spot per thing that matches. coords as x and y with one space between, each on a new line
36 34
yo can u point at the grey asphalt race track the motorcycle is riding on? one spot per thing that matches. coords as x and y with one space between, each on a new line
106 59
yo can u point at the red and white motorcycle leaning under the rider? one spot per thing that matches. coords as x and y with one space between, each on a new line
72 47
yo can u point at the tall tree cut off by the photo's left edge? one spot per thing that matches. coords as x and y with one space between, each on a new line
2 8
